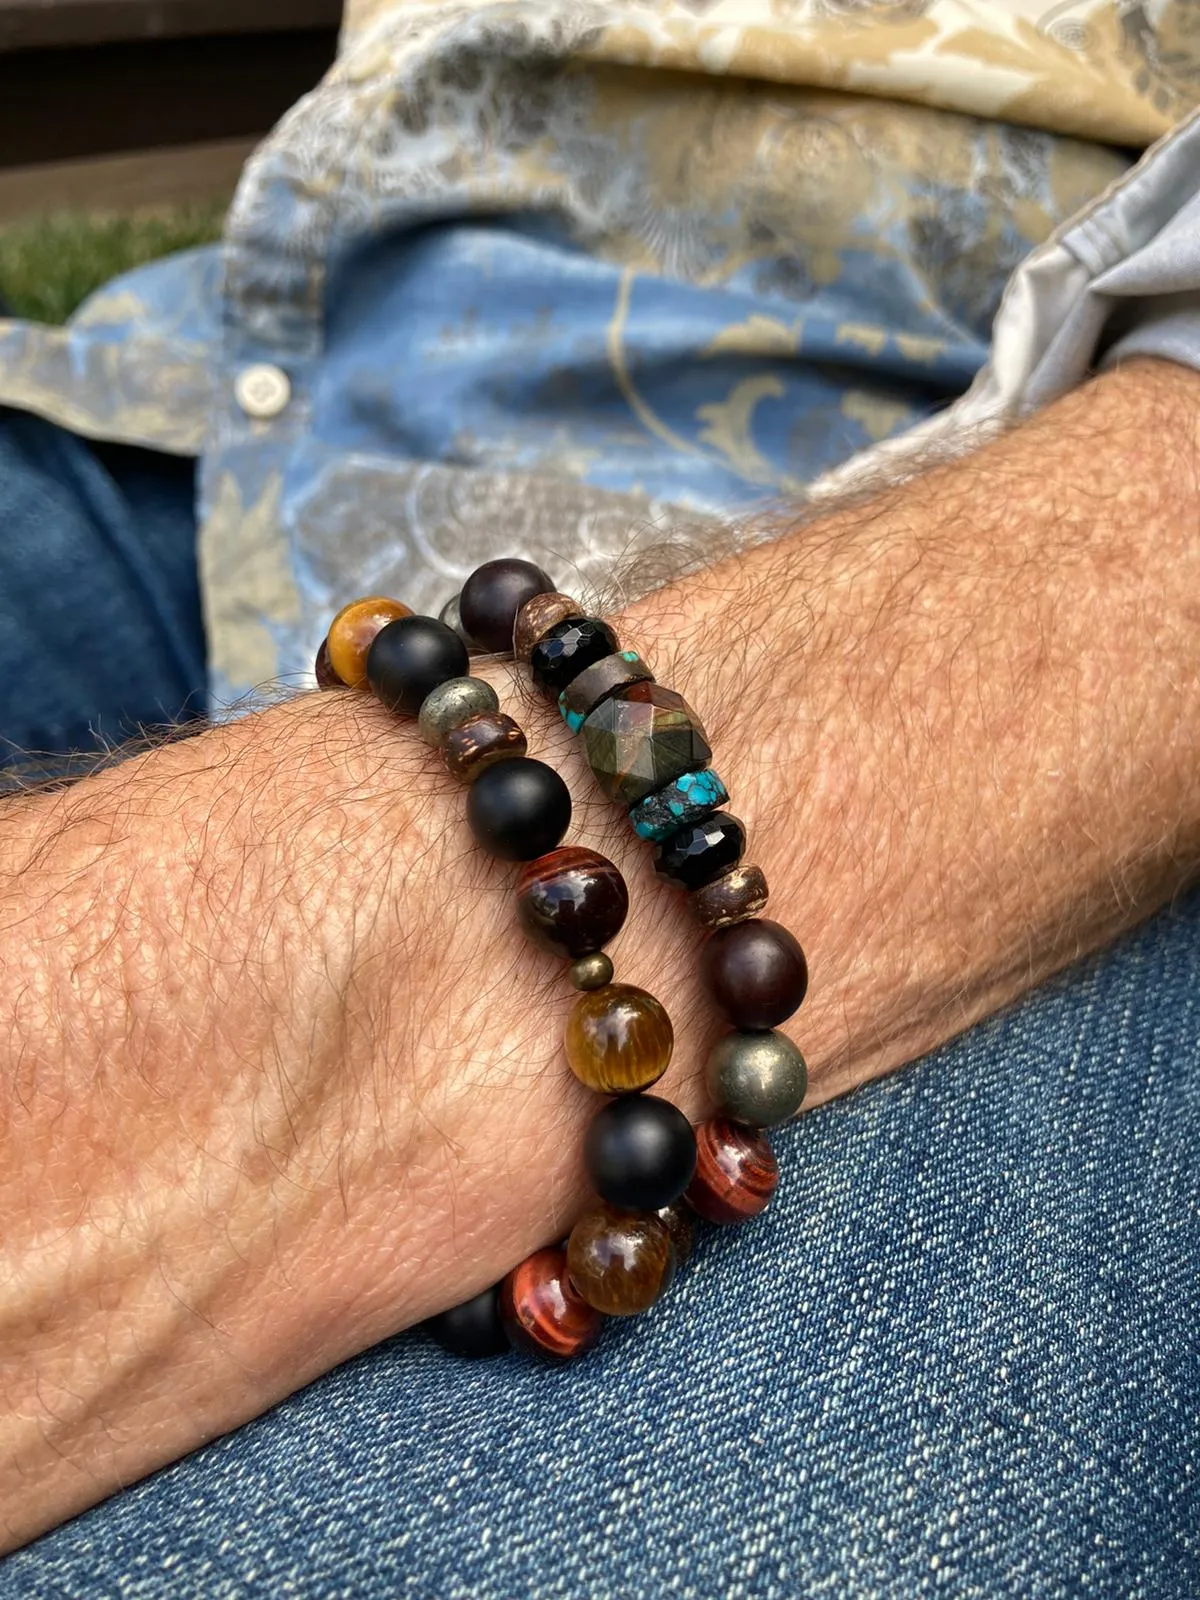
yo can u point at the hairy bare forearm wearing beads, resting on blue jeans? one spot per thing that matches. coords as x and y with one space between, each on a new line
281 1074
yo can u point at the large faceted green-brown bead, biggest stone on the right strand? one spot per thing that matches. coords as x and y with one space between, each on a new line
641 740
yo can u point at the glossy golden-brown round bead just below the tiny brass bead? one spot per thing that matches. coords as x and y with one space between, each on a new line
618 1039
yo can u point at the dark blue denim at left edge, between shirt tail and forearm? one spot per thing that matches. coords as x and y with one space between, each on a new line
100 604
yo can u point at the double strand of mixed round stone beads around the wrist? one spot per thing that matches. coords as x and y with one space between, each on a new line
649 751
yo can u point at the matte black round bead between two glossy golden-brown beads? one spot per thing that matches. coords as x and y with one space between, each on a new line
641 1153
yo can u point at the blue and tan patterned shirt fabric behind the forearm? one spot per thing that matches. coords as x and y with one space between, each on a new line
577 278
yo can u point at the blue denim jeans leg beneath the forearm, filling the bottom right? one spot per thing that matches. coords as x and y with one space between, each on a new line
959 1356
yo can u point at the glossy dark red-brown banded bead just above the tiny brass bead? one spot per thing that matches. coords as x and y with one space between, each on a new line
572 902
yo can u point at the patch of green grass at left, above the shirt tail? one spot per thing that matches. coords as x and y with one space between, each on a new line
50 265
